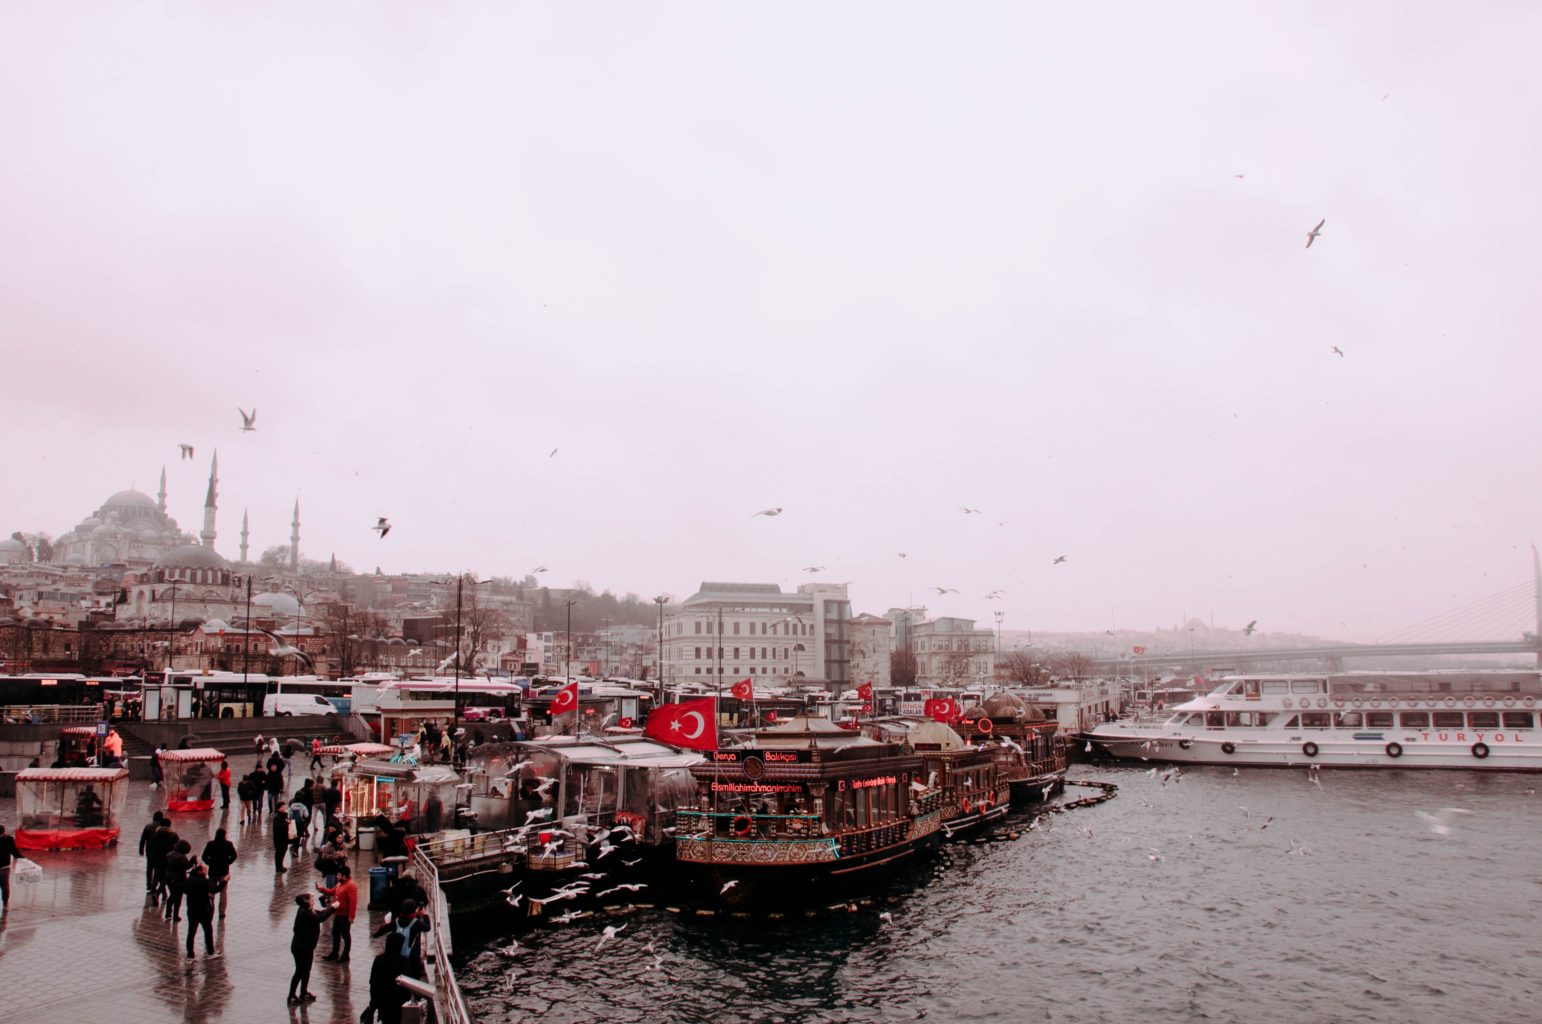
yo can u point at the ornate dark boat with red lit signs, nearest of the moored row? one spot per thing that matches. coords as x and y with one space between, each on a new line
804 813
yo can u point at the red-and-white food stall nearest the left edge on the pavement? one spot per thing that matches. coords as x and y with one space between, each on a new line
70 809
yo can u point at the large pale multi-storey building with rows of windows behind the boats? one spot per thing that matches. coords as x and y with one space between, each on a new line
732 632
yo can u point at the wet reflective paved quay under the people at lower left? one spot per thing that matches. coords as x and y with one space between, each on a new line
86 946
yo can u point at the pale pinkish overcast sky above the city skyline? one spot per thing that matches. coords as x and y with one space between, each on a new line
866 263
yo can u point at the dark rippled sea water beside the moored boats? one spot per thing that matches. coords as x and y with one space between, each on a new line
1378 920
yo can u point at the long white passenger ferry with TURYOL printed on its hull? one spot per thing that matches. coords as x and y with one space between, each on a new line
1486 721
